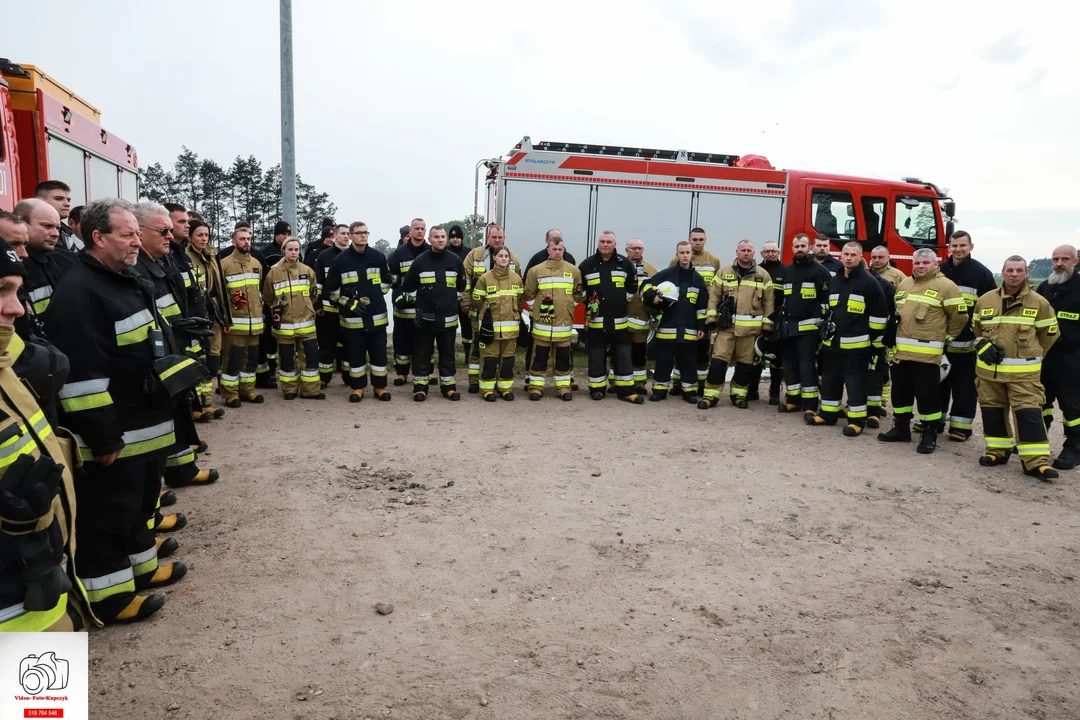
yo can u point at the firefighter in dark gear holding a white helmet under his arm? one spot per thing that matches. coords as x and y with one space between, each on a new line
680 300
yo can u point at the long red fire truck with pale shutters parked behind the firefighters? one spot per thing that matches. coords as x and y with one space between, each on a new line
659 196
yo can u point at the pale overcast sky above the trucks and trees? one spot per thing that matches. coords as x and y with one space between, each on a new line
397 102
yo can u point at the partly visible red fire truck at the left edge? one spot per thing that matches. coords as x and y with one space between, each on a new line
49 133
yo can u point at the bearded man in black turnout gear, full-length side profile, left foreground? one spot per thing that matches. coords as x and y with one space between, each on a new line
120 412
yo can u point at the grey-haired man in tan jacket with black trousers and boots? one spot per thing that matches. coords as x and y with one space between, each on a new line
931 311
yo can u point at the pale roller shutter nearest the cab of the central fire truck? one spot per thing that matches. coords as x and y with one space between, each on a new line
728 219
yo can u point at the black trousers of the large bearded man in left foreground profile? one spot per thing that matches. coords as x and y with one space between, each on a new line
114 505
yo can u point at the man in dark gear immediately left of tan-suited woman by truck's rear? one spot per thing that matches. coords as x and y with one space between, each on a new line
435 283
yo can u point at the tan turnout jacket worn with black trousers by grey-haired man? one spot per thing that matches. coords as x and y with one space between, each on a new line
931 310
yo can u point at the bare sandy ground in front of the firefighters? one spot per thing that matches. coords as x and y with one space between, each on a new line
601 561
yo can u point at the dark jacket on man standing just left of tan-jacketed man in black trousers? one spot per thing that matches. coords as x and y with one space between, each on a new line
860 314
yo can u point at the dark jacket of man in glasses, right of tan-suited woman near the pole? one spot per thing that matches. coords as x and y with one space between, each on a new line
355 276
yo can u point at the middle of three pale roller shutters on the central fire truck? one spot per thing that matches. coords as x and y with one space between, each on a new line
661 219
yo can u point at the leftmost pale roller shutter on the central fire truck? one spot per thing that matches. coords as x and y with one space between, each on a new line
531 209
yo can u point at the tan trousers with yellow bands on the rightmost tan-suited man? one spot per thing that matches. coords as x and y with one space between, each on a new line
1024 400
